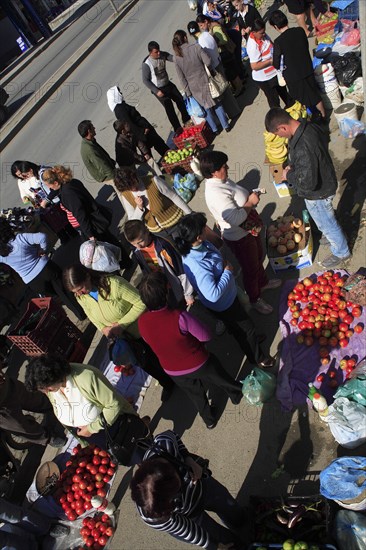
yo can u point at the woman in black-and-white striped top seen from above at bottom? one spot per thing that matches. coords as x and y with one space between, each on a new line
173 491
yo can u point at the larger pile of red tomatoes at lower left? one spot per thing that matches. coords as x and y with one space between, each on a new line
87 474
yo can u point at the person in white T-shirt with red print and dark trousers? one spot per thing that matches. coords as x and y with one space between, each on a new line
260 50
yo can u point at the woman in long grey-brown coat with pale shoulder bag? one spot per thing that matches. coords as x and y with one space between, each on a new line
191 62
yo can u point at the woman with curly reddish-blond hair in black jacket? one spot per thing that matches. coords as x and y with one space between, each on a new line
93 220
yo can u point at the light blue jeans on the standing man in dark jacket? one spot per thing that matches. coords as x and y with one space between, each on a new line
321 210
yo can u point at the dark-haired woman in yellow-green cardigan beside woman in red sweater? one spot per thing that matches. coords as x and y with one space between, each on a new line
113 305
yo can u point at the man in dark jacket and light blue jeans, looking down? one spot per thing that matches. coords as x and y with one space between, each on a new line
312 174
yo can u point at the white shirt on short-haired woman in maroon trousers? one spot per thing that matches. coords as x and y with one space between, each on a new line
225 200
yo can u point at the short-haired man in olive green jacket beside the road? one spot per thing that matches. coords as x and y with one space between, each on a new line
96 159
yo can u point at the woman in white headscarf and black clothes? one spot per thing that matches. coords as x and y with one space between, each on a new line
140 127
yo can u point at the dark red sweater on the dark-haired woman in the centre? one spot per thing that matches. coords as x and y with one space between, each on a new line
175 351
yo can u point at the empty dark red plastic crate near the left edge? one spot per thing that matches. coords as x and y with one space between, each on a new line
53 331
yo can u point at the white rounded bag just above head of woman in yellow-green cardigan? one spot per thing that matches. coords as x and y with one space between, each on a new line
100 256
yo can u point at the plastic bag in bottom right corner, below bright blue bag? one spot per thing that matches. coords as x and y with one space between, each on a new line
350 530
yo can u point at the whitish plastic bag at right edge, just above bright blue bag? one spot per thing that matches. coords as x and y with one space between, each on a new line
347 422
